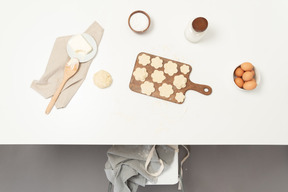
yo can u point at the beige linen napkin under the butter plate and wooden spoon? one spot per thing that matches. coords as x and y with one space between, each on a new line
53 75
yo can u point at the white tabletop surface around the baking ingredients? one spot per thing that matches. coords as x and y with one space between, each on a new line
245 30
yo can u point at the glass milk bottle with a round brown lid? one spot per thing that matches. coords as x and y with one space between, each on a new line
196 29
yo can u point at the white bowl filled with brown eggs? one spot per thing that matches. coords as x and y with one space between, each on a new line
246 77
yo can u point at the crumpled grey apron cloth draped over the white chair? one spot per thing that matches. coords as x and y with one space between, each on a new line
125 167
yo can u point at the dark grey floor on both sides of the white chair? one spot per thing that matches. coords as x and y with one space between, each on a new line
80 169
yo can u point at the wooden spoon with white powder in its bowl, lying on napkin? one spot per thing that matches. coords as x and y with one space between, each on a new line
70 69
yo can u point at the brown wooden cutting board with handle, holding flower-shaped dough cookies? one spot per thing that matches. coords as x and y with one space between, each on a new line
163 78
